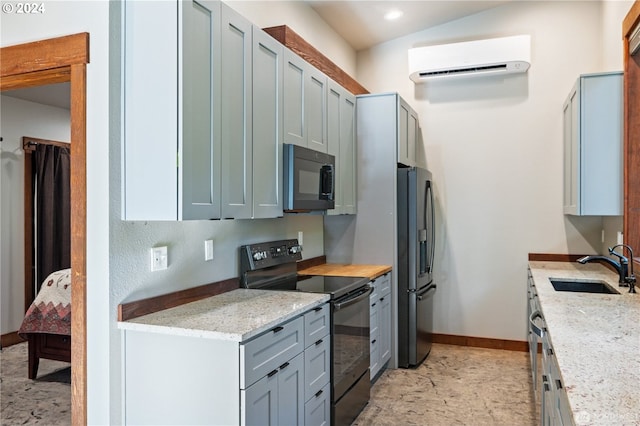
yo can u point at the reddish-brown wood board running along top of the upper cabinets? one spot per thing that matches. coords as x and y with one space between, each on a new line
306 51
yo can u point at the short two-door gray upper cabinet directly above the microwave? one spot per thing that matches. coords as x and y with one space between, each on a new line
305 103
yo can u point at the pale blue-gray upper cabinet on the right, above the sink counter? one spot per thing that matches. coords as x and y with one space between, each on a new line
593 129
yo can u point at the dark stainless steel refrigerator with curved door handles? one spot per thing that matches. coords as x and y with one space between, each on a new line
416 288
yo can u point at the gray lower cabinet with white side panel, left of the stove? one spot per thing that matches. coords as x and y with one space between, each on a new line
275 378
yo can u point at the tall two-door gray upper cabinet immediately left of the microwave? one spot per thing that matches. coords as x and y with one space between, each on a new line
252 76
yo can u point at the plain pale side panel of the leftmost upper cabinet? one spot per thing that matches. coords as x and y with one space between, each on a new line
150 104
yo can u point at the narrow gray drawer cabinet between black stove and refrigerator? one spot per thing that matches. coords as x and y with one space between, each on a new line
380 323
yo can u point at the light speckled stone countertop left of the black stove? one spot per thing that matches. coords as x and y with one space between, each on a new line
237 315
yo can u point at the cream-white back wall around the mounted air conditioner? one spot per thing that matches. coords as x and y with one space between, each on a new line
495 149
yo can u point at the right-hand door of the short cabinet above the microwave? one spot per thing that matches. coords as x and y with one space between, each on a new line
315 105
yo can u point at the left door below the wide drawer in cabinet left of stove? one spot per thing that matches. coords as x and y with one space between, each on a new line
259 402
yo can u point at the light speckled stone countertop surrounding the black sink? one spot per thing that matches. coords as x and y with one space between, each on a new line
596 340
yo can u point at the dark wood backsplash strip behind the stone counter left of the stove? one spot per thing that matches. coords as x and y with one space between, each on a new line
130 310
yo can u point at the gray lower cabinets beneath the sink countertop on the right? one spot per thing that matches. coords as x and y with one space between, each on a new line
551 397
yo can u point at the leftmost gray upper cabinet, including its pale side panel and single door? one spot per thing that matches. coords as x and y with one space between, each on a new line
171 110
